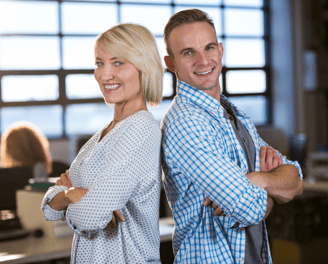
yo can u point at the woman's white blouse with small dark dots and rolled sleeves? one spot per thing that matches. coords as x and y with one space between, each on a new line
123 172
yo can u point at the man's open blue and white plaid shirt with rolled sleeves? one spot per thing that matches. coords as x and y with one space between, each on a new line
203 158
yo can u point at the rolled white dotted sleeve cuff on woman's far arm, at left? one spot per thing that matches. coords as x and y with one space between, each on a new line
49 213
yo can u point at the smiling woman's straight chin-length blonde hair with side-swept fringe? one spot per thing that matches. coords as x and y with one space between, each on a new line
137 45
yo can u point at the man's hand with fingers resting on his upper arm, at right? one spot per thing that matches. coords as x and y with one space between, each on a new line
269 159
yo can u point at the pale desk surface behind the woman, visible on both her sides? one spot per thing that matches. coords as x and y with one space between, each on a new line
33 249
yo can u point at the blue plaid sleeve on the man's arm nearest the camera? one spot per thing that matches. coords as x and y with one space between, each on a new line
200 156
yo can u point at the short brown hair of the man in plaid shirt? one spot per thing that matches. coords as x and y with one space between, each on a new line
181 18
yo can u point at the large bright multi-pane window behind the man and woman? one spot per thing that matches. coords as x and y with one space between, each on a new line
47 64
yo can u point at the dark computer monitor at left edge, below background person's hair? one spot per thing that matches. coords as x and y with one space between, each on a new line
11 180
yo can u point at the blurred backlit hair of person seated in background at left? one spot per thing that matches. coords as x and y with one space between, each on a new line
23 144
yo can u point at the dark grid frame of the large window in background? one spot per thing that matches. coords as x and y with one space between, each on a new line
64 102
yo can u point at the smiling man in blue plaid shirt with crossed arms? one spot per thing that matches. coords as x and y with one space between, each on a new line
212 149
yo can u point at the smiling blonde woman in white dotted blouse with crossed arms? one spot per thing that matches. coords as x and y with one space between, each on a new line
119 167
